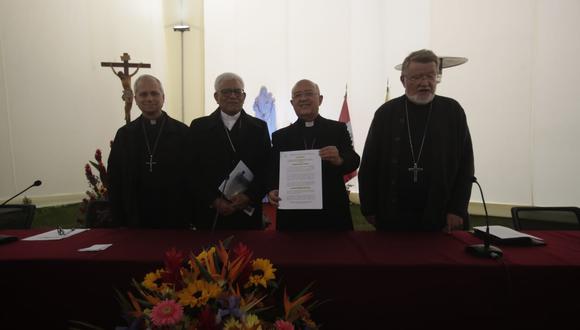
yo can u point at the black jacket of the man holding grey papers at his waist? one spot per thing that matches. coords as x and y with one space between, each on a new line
214 159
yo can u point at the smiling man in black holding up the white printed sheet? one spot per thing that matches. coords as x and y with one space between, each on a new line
312 131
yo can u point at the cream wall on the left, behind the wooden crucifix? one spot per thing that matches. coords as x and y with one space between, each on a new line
57 103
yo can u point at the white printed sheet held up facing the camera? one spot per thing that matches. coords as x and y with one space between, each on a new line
300 185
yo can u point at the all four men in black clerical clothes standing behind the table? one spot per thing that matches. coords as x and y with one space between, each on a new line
415 175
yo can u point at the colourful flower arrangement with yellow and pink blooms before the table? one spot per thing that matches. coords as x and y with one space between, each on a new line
218 288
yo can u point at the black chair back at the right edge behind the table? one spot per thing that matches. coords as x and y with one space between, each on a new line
546 218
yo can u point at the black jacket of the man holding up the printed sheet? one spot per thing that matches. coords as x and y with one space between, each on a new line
335 214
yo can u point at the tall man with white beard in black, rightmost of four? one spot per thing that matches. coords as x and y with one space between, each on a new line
417 166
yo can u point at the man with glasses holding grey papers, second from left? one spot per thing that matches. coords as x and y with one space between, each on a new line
219 142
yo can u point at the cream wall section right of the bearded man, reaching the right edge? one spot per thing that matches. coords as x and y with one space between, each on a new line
520 93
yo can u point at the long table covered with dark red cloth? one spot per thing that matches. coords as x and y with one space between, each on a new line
374 280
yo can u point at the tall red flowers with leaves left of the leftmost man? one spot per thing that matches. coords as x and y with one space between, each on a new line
98 185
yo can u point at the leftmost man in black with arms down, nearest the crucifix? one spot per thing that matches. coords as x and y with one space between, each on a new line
149 165
